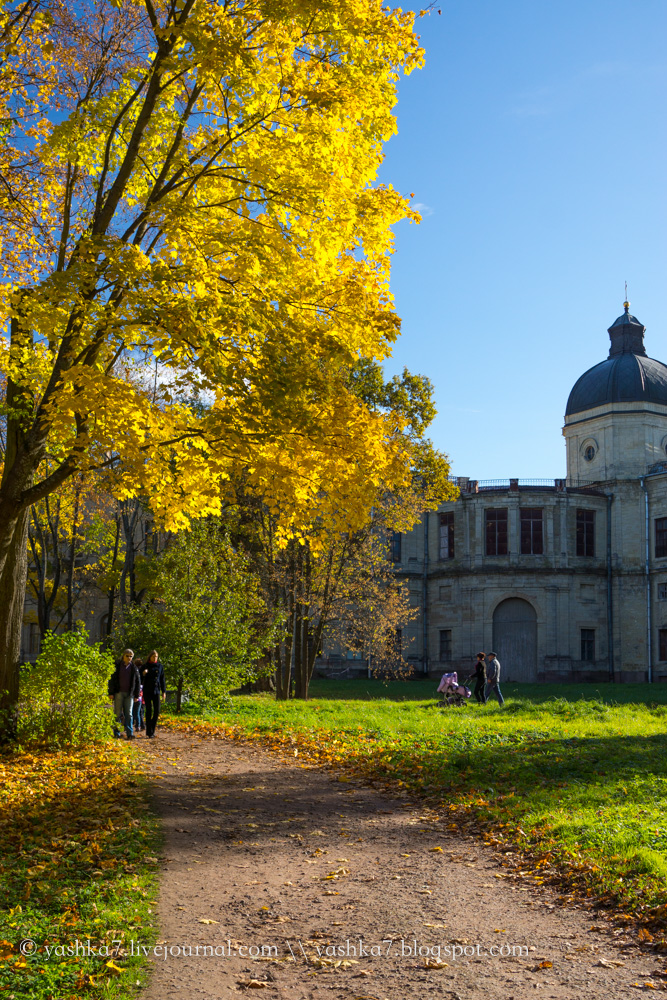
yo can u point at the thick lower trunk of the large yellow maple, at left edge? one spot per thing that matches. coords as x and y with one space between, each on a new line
12 598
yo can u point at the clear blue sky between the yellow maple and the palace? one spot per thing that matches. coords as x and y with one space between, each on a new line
535 141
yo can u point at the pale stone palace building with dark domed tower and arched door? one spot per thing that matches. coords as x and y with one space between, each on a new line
566 580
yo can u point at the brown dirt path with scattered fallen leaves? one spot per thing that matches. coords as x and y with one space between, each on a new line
249 844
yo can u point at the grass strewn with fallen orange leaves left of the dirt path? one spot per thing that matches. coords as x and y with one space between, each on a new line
75 845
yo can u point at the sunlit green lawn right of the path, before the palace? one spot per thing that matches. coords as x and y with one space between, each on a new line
574 773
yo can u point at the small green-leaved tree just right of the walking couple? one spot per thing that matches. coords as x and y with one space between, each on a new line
204 614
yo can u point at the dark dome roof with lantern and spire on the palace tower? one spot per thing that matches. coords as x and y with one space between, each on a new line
627 376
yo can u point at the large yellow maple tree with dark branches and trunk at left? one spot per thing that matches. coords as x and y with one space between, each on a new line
194 255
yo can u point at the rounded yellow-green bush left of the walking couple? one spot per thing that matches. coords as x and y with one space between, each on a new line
64 701
